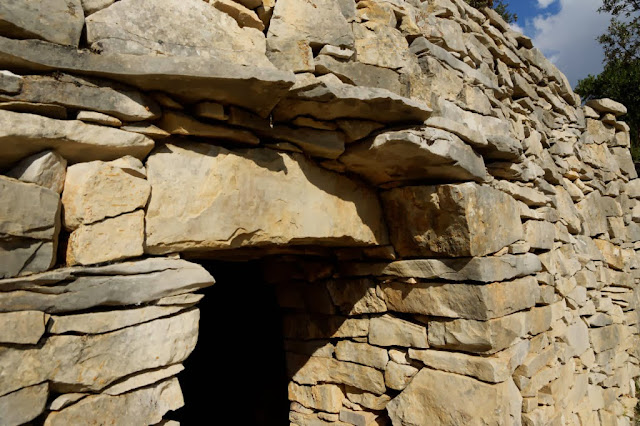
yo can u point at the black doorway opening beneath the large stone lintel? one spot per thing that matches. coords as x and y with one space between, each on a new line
237 370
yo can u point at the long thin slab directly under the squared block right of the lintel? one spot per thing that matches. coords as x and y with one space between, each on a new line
481 269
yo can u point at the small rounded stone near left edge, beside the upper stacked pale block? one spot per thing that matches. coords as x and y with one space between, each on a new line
47 169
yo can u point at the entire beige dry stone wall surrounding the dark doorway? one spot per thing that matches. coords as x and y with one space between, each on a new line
451 233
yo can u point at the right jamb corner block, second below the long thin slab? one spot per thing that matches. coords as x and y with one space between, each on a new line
479 336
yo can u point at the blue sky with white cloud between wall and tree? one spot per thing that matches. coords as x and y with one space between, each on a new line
565 31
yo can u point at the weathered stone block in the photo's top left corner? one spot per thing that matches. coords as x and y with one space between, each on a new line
57 21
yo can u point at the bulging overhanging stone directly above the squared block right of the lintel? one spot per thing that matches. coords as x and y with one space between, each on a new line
410 155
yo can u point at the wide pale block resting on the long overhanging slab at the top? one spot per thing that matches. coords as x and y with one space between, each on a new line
194 28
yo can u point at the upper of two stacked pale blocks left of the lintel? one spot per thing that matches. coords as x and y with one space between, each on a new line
96 190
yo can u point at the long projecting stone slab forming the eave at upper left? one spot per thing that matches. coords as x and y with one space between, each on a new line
190 79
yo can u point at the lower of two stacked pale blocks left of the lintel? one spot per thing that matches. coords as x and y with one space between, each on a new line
110 240
